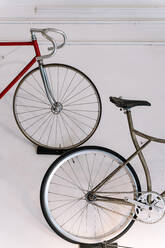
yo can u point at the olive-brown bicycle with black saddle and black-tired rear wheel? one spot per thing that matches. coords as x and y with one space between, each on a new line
92 194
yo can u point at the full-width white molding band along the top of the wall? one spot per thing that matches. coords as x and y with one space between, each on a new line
82 14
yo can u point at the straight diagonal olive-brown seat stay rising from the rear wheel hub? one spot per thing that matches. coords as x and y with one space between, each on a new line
119 168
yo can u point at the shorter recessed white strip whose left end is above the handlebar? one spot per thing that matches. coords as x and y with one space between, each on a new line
101 13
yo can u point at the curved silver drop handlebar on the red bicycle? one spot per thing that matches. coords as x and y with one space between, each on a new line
49 38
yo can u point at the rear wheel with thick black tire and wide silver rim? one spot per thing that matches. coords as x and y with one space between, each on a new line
65 189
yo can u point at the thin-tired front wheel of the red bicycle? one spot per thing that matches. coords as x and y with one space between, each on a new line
79 101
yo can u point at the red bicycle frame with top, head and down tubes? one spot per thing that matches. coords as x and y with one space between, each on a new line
33 43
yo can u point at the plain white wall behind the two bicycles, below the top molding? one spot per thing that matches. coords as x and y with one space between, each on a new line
134 71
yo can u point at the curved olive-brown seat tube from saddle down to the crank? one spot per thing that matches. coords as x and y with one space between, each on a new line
140 154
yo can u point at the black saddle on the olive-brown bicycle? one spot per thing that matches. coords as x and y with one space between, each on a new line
127 104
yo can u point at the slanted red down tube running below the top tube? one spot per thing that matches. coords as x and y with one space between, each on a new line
25 69
